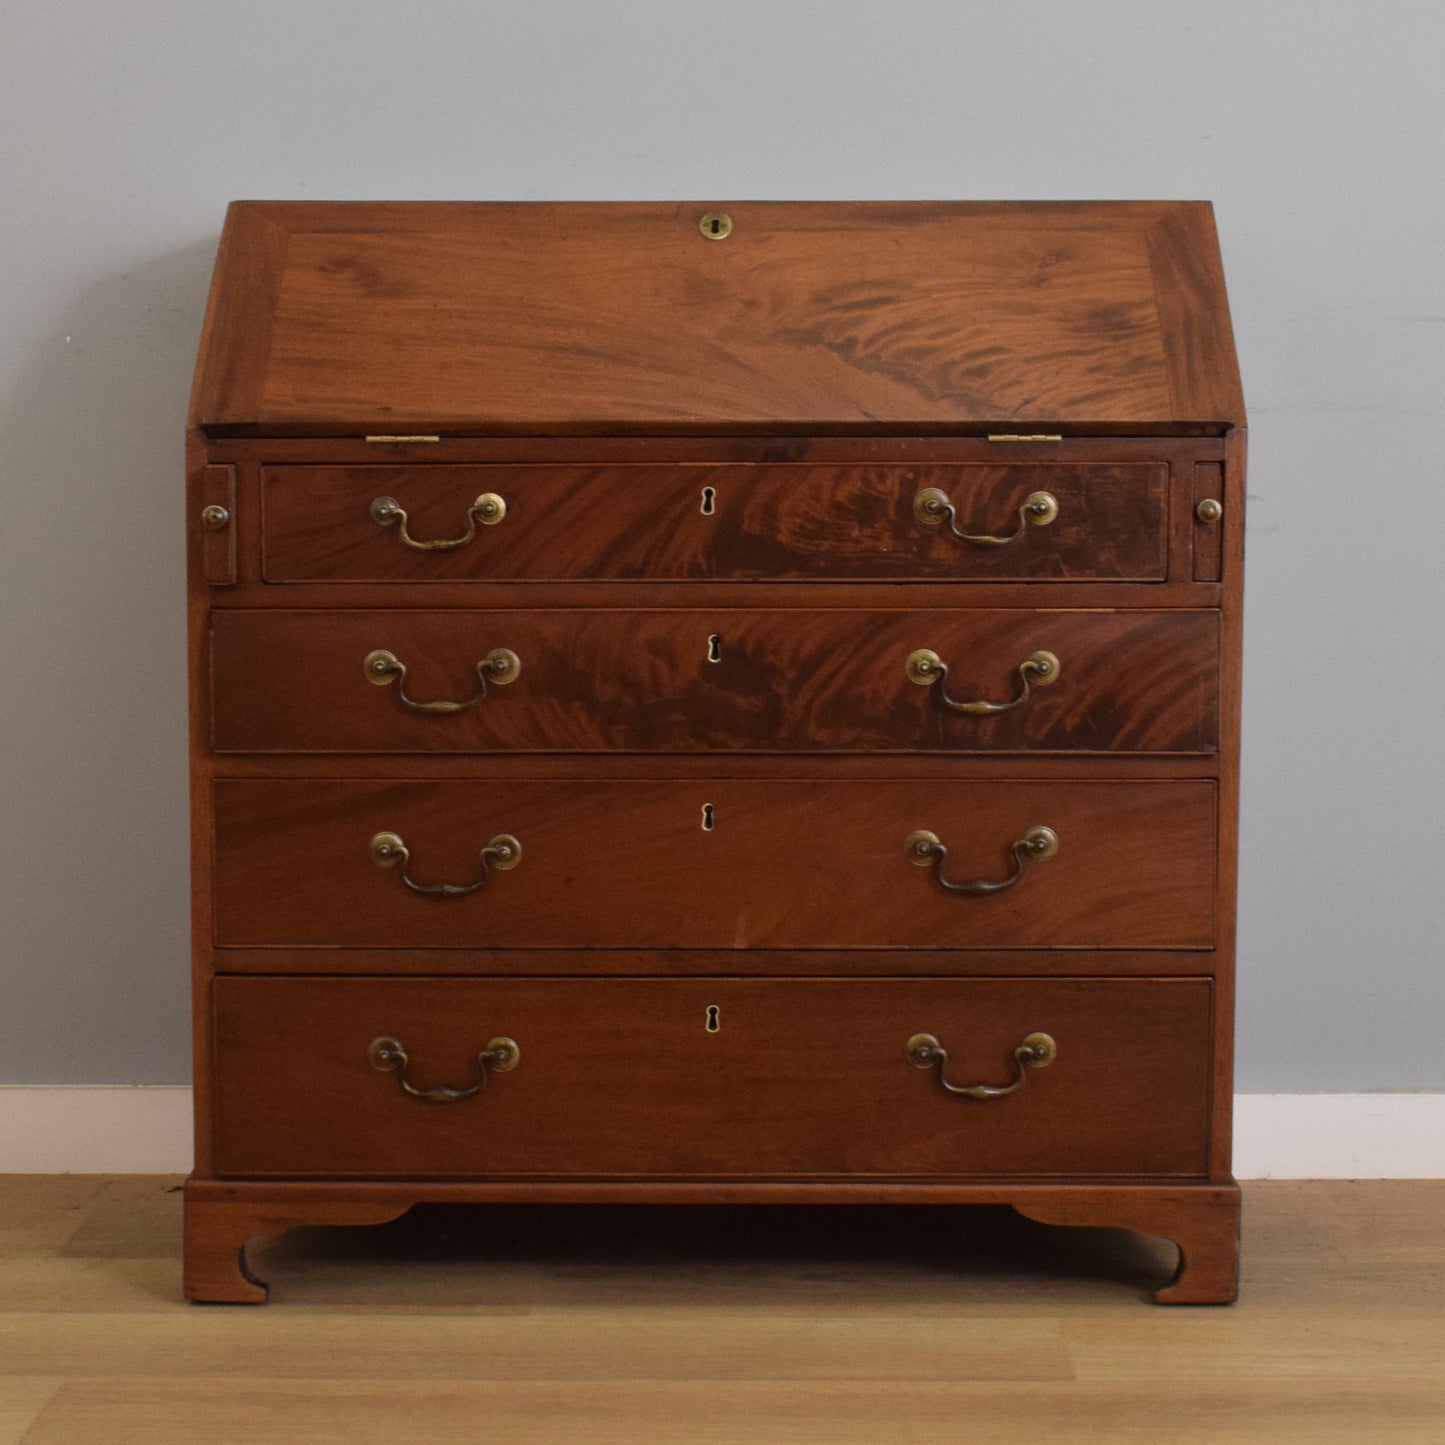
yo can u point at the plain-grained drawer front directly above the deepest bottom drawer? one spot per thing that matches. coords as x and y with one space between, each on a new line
713 865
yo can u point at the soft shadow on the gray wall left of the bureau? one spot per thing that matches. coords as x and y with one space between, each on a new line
93 954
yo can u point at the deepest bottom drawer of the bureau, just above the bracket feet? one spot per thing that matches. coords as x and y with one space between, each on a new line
723 1077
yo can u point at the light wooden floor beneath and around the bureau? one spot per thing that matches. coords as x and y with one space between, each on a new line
680 1326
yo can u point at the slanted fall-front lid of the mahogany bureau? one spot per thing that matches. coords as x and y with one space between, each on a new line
352 319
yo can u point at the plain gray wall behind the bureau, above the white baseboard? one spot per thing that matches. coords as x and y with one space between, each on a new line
1317 132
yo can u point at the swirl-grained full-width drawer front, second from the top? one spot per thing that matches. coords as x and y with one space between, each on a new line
693 681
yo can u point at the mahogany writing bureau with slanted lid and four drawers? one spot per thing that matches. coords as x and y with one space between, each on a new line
716 704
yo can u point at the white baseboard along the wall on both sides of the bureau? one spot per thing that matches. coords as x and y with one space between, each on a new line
1277 1136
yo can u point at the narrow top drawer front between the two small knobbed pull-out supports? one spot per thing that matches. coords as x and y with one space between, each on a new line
733 522
